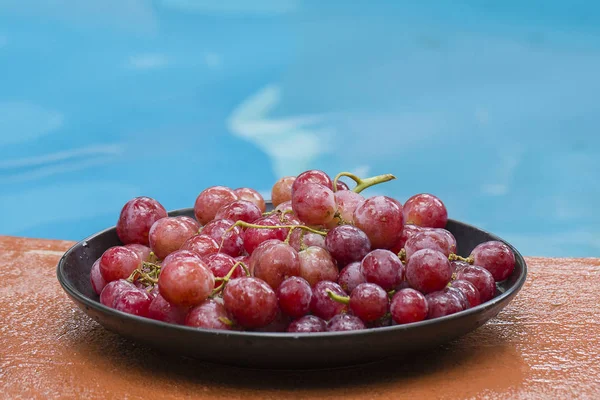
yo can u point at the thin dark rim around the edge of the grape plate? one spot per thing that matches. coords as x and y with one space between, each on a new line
76 294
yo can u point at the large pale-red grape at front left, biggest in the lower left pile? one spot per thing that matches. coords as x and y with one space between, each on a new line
185 282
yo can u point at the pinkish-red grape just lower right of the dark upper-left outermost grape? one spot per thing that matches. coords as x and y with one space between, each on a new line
169 234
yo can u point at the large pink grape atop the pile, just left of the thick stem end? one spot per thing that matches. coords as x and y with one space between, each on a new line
314 204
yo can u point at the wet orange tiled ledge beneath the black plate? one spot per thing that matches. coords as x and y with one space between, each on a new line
544 345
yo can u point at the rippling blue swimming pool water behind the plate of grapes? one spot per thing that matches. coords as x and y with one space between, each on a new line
493 106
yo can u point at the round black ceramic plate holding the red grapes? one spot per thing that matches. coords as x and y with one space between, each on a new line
282 350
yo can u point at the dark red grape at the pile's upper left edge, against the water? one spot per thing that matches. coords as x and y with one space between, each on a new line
136 218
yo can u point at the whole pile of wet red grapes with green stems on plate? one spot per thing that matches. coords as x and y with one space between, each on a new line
325 259
